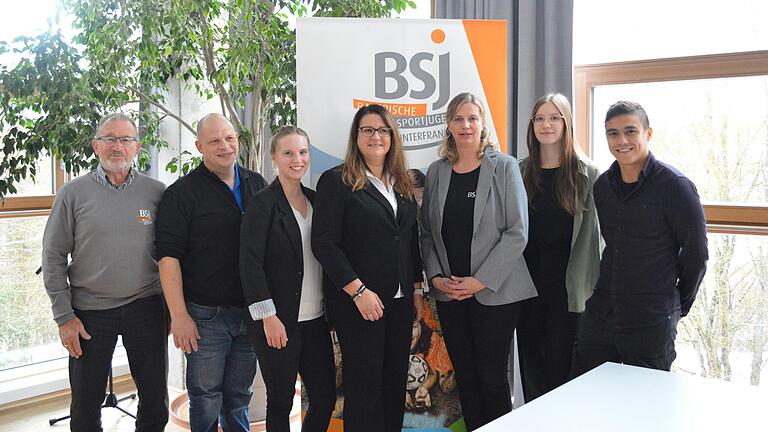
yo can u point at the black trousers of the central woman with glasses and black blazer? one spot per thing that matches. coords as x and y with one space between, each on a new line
374 356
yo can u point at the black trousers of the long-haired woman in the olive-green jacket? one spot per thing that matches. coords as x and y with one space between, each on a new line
546 340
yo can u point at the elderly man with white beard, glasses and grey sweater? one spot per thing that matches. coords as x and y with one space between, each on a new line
101 275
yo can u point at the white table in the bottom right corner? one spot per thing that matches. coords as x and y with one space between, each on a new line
621 398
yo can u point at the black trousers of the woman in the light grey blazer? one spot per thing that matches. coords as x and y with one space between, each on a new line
478 339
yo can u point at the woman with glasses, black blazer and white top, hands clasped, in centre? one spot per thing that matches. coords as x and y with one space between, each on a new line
366 238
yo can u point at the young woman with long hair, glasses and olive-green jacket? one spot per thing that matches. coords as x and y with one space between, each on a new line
563 252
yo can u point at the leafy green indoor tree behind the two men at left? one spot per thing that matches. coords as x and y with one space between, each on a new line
54 96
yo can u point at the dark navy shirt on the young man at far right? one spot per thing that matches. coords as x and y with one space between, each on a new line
655 251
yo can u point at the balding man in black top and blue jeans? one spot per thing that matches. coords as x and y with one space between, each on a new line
198 246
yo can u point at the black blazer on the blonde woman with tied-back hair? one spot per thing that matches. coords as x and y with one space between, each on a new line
271 257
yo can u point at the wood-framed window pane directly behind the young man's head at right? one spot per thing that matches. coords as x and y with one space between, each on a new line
729 87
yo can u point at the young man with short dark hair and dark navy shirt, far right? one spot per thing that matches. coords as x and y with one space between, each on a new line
655 251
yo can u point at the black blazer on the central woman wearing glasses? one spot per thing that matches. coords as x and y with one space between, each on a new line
356 235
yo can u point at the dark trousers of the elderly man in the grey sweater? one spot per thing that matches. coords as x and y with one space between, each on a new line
143 327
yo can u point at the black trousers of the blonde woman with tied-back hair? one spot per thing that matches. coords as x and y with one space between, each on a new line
310 353
